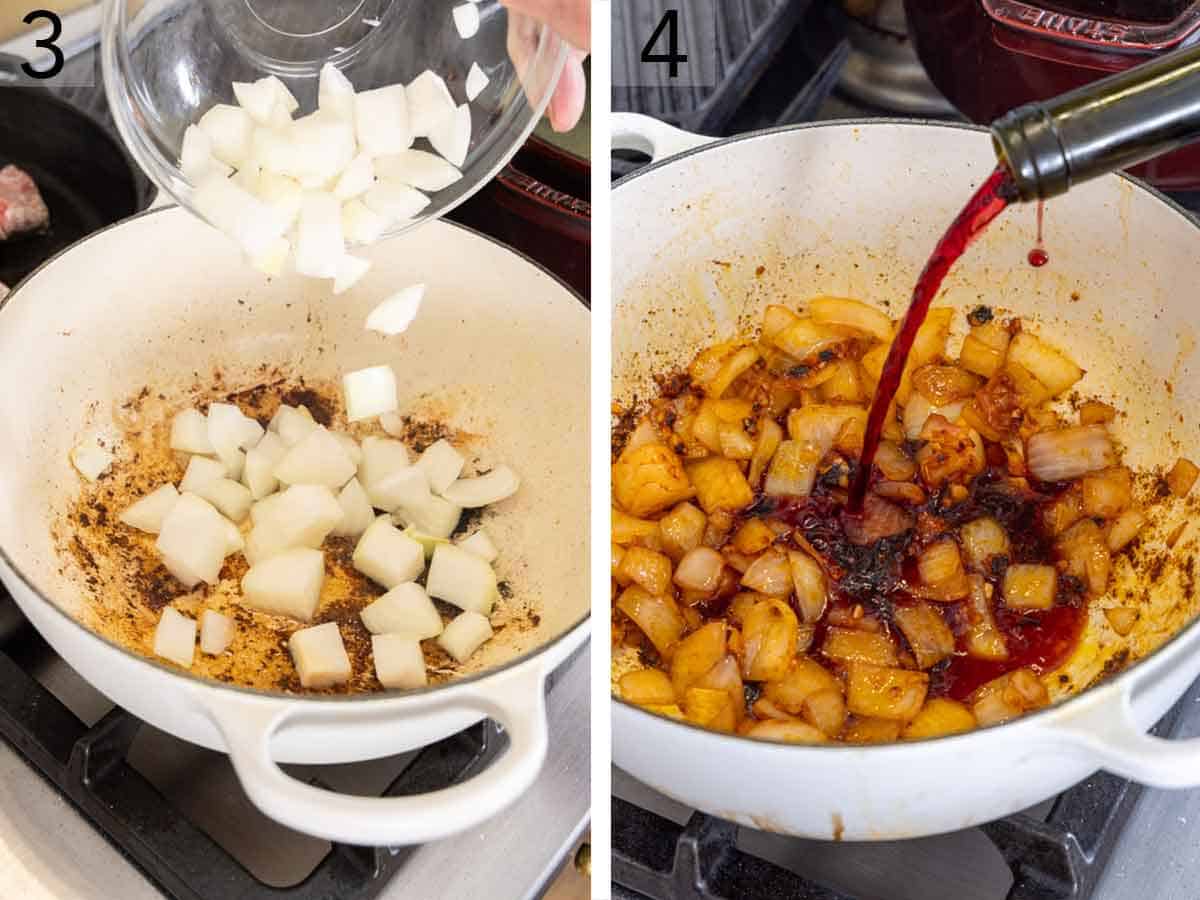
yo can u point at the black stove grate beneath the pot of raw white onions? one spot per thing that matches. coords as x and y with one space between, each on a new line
89 767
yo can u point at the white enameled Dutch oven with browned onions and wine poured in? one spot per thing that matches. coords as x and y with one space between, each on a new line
704 241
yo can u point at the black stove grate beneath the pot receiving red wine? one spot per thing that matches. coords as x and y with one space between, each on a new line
1059 859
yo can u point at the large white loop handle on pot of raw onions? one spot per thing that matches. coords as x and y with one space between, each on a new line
518 703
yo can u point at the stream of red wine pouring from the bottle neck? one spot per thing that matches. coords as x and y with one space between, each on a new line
987 203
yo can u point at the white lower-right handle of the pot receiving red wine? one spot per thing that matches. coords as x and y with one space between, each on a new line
1111 734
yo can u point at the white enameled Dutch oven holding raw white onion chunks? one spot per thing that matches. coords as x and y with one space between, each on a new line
163 298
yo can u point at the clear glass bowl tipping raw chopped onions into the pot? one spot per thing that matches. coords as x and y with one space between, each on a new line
167 62
